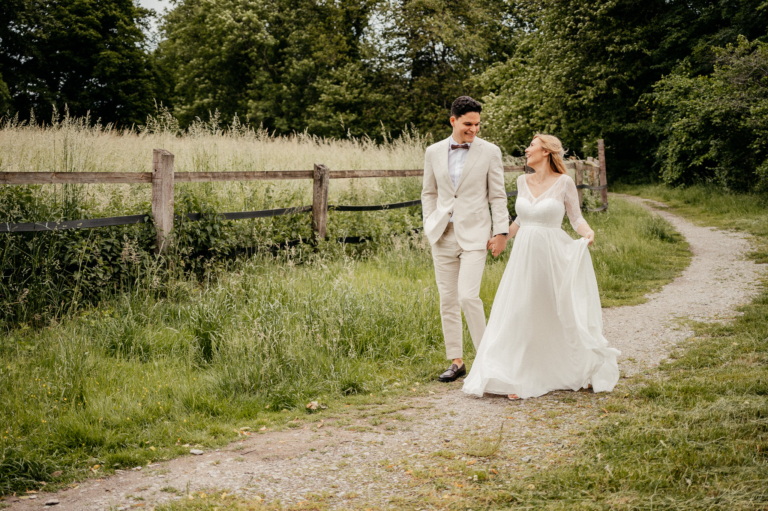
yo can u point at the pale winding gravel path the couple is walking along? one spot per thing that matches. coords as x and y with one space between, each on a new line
367 457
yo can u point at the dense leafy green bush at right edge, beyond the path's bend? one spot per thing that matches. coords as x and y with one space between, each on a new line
714 127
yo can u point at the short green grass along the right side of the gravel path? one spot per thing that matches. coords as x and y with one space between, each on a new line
691 434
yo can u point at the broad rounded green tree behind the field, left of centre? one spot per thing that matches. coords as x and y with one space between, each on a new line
260 59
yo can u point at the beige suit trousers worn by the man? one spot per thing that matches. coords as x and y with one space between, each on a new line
458 274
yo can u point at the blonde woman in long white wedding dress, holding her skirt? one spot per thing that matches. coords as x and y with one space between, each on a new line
545 328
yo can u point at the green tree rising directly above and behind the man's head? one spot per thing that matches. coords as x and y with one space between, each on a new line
438 47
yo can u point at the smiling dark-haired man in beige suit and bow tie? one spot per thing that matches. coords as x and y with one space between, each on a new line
462 174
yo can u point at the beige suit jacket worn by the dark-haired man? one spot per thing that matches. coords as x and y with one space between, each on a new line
481 182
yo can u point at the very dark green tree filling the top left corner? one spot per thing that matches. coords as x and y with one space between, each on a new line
87 55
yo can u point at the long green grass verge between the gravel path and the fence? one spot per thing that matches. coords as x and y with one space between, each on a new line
149 374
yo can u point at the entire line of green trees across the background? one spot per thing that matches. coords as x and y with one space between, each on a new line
676 88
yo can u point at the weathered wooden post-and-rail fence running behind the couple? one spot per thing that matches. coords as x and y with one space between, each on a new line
163 177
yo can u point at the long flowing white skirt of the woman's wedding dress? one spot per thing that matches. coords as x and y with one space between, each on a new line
545 328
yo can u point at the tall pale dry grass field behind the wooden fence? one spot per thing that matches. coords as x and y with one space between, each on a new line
70 144
